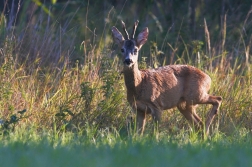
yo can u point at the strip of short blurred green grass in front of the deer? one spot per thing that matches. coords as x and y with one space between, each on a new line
30 149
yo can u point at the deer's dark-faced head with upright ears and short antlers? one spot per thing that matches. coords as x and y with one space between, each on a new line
130 46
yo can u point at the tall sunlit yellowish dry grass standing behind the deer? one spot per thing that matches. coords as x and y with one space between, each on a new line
62 88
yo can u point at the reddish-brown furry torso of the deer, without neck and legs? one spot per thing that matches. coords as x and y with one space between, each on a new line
166 86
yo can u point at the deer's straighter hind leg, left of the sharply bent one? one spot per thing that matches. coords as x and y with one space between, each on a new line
189 111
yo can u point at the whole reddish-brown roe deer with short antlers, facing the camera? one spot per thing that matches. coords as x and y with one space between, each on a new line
153 90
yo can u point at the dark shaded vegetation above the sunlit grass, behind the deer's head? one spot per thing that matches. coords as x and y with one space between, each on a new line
174 25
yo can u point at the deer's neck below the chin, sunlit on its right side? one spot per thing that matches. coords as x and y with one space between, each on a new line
132 78
